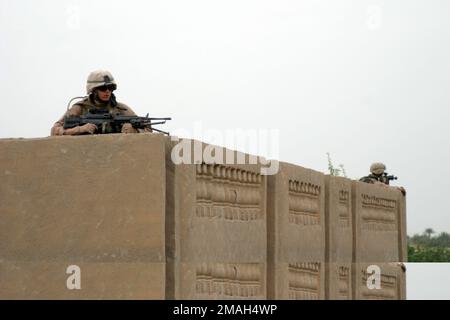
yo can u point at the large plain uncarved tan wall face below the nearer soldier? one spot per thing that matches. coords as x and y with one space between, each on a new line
95 202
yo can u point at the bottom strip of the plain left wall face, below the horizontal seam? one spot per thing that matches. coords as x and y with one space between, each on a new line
98 280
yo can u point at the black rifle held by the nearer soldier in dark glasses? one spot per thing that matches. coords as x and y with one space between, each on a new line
106 121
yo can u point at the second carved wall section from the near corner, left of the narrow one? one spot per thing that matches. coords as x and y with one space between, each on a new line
296 227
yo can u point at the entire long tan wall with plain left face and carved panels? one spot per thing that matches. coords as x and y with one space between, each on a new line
143 227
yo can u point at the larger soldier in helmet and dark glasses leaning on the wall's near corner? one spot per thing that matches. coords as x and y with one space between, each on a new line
99 88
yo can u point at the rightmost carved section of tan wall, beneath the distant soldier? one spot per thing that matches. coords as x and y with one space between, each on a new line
380 239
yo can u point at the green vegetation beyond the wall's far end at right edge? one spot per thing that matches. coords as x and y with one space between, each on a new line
428 247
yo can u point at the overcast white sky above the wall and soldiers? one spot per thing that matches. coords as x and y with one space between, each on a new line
364 80
